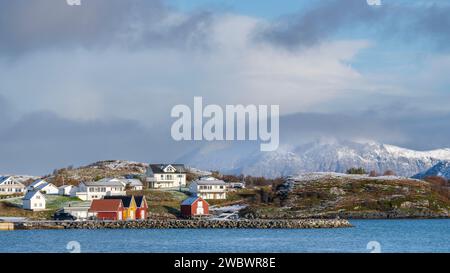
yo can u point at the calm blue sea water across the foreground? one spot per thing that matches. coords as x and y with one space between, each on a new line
392 236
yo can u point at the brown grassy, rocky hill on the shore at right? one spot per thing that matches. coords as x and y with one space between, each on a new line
354 197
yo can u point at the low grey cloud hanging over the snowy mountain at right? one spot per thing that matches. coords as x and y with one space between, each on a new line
405 127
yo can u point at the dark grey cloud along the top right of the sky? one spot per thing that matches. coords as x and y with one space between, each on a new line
322 21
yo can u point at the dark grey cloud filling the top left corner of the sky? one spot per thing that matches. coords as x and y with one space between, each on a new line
30 25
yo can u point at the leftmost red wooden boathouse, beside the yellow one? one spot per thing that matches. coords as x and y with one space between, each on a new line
108 209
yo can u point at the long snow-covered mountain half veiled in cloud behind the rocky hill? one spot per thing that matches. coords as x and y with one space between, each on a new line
318 156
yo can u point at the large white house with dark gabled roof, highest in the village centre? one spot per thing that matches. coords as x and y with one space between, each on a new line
166 176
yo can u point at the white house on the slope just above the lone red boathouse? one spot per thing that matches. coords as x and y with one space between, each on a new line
209 188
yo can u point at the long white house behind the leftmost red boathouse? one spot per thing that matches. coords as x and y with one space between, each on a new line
98 189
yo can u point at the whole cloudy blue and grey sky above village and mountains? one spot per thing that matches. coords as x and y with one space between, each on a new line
98 81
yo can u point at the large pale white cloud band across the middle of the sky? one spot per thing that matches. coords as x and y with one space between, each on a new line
144 85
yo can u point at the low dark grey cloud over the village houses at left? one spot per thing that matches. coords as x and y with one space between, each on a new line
40 142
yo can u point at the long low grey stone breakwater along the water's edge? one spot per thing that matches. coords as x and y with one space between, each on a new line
180 224
